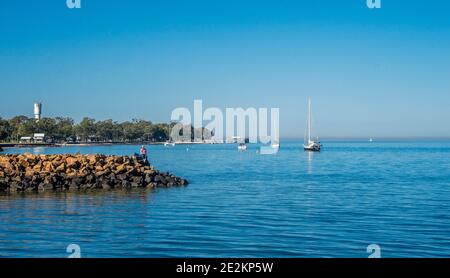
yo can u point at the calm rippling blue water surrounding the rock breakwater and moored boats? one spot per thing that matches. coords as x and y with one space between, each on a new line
293 204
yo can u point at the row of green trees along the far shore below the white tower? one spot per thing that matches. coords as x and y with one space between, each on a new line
63 129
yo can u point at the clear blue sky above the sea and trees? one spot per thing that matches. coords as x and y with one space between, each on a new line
373 73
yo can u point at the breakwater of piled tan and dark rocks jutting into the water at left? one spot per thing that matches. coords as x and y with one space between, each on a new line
63 172
